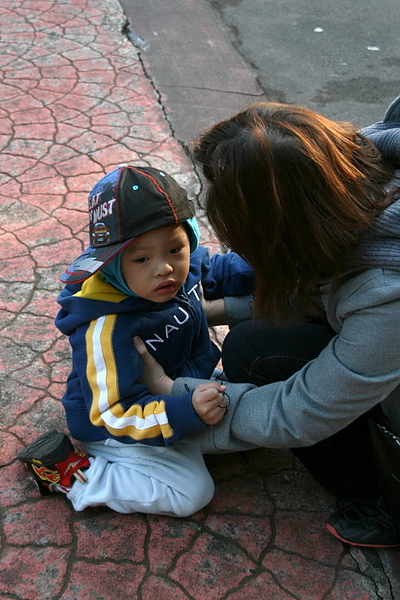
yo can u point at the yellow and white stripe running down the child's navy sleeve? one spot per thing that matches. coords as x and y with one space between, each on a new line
138 422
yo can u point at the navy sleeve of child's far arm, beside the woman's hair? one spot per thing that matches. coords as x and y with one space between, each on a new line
223 274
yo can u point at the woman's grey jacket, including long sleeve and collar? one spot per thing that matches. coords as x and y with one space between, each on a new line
358 369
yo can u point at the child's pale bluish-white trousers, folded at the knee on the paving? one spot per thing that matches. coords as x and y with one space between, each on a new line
132 478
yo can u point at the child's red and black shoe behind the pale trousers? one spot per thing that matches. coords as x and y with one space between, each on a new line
54 461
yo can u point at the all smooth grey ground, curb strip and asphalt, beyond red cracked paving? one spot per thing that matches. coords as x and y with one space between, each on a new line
210 58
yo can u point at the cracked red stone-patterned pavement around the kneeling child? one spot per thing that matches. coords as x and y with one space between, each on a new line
75 101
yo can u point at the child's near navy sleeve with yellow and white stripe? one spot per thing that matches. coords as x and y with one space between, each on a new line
119 407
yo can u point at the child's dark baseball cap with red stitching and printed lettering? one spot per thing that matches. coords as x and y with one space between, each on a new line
123 205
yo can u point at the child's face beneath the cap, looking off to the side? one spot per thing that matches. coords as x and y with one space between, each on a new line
156 264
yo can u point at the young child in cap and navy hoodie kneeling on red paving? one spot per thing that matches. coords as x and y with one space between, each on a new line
142 275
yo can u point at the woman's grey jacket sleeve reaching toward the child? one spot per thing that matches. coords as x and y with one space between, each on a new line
358 369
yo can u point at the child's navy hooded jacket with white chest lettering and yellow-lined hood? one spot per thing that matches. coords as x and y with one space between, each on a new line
103 397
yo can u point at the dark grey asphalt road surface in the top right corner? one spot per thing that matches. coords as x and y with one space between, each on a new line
341 58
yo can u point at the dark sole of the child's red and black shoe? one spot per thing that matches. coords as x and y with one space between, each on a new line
51 448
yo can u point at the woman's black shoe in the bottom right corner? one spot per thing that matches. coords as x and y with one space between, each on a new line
364 525
